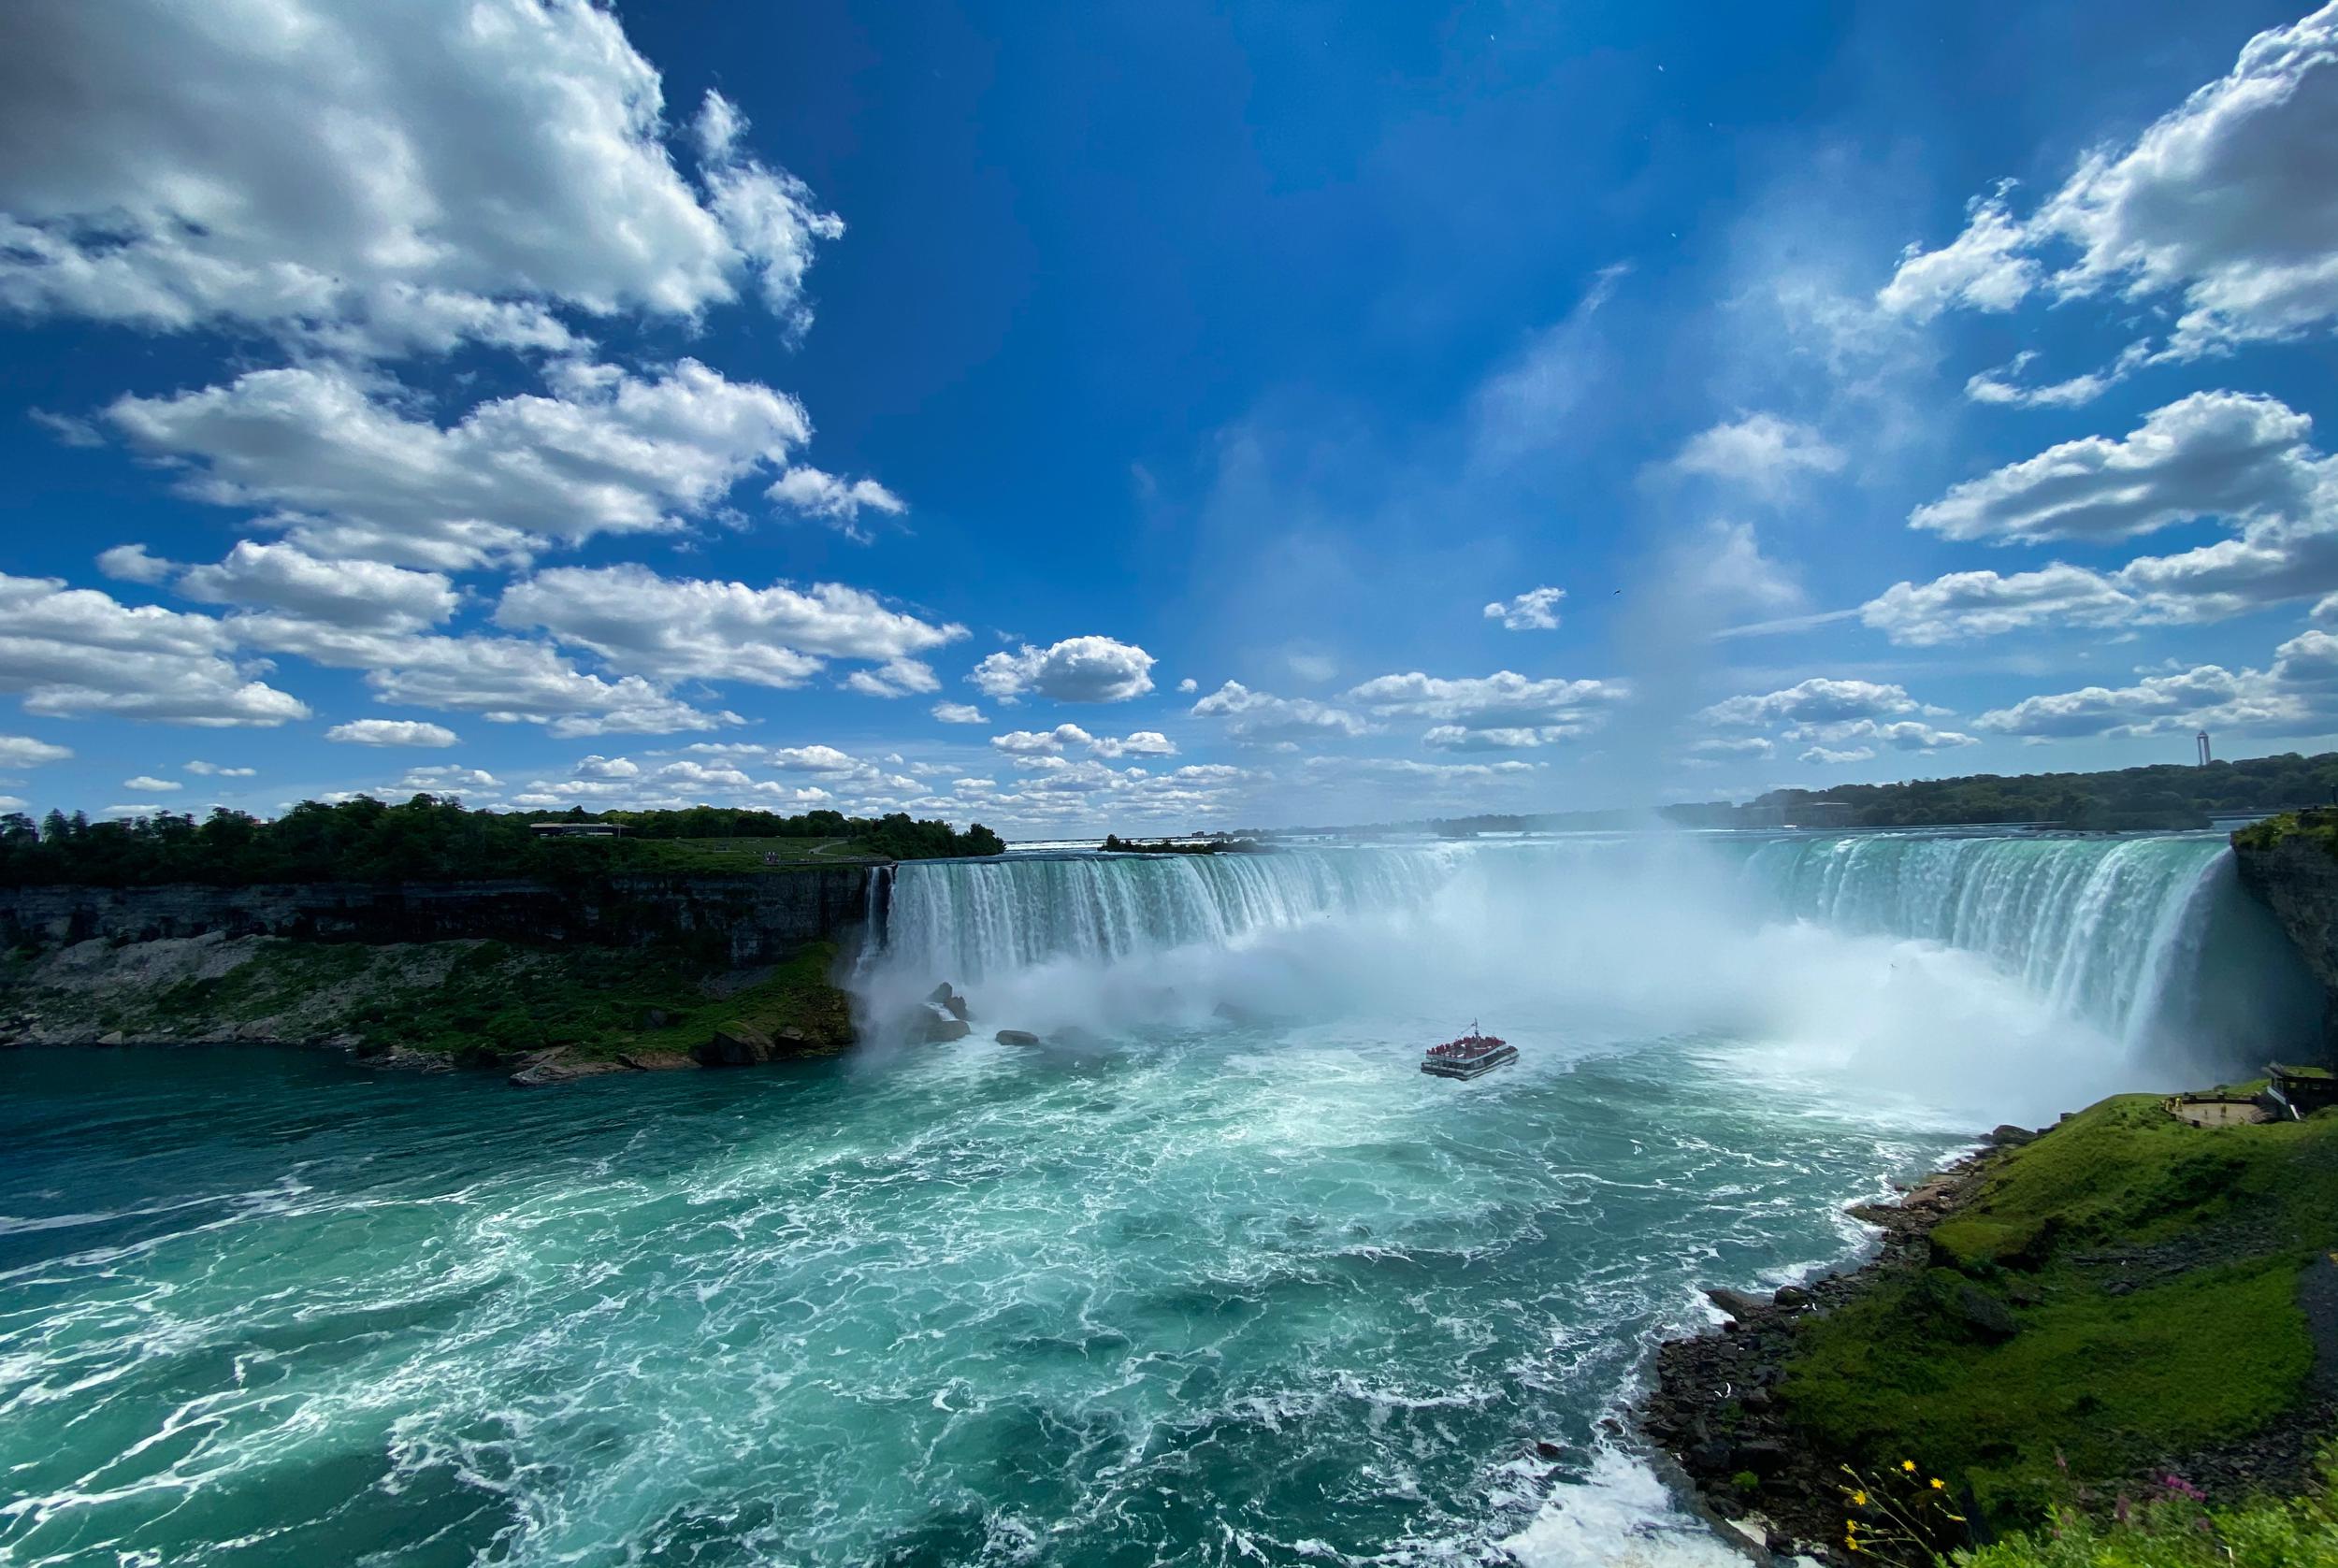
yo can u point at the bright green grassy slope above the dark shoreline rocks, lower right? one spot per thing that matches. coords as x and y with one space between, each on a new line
2122 1296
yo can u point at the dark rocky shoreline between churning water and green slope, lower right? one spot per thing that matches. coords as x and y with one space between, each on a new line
1715 1408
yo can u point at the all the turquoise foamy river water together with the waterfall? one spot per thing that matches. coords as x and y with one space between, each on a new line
1210 1277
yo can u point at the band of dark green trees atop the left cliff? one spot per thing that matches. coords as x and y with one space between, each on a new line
441 840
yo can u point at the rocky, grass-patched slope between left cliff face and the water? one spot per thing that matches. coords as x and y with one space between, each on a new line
537 1015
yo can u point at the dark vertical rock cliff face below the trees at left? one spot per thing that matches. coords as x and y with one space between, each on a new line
759 920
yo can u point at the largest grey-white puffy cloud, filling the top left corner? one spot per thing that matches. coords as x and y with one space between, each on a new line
373 179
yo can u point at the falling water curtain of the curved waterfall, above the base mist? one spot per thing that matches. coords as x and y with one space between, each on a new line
2145 938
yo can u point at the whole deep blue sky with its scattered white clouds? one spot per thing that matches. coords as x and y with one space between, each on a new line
1151 417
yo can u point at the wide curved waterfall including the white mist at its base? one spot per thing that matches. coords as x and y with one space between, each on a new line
1991 976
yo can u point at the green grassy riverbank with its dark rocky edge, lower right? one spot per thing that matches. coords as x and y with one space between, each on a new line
2059 1319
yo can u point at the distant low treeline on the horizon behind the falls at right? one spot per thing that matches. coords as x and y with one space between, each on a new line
2112 800
